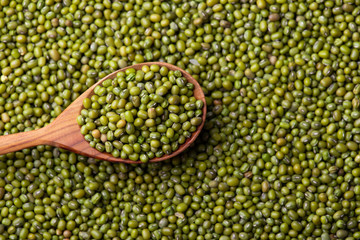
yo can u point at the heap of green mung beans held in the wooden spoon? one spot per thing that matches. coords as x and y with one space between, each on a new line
141 114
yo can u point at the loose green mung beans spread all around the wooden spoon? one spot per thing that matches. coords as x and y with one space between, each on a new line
278 157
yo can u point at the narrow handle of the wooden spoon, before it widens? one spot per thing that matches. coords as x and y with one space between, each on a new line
18 141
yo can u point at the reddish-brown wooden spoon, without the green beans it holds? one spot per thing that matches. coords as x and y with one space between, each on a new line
64 131
